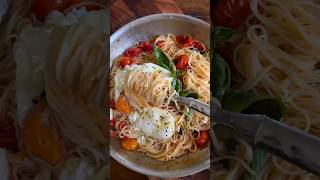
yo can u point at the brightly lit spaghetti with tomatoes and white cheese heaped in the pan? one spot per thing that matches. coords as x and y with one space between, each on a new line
137 77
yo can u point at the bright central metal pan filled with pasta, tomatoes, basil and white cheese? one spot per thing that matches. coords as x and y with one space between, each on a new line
152 60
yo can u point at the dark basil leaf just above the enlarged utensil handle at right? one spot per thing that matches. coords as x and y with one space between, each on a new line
270 107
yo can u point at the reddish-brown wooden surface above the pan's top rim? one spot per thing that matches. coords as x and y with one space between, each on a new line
124 11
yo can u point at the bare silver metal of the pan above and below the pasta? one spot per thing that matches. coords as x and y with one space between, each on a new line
139 30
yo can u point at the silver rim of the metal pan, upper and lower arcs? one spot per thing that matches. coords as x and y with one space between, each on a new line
122 160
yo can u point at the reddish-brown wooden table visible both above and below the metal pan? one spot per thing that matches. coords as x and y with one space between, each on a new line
125 11
